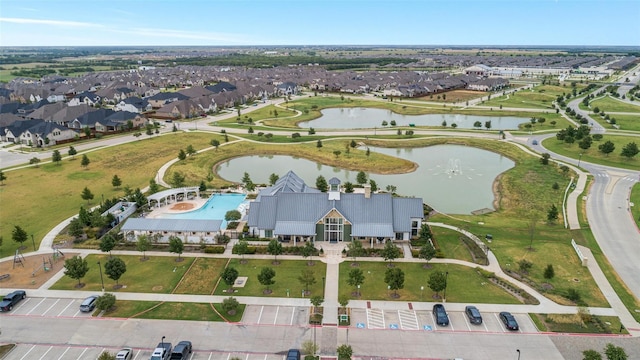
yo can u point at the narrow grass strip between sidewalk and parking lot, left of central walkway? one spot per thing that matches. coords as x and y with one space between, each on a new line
172 311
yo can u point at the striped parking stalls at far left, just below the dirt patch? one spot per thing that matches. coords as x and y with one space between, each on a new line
50 307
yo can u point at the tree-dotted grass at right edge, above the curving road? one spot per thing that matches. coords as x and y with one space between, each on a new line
593 155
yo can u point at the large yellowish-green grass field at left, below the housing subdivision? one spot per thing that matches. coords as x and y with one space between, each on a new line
25 205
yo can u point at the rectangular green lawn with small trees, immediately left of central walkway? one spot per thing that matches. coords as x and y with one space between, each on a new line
287 273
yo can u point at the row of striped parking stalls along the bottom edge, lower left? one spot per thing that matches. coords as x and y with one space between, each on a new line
47 352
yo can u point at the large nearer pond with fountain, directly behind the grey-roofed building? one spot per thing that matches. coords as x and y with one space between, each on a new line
452 179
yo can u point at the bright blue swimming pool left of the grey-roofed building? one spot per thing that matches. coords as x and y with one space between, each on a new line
214 209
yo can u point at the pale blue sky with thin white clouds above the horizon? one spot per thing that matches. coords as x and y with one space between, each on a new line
319 22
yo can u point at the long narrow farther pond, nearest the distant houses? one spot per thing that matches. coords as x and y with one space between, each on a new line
368 118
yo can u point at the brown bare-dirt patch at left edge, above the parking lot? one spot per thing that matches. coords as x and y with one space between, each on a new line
32 275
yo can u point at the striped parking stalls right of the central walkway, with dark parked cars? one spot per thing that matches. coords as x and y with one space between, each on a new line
423 320
